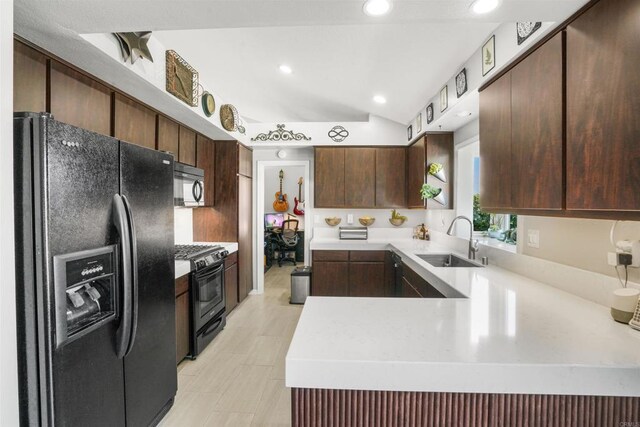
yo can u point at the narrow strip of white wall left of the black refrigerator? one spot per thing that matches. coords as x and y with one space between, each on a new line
8 349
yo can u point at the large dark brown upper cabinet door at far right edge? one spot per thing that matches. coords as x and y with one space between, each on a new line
603 108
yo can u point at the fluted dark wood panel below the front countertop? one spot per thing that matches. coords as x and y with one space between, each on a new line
336 408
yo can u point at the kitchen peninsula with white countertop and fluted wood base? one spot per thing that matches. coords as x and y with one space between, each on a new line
510 345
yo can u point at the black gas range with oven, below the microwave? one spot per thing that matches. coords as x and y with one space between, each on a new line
206 283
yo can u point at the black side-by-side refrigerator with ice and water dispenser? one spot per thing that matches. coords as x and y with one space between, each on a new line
95 277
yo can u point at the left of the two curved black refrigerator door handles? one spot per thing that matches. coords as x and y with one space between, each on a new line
123 334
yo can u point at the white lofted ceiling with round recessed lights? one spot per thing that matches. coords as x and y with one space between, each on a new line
340 57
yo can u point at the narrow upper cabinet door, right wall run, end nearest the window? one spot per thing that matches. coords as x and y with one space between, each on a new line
495 145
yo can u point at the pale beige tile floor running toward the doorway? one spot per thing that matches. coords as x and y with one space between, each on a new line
239 379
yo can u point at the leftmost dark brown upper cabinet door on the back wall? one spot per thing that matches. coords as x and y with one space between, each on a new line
329 177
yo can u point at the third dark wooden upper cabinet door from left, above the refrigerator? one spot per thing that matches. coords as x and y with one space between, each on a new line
134 123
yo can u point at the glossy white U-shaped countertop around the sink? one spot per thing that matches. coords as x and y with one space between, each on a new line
504 334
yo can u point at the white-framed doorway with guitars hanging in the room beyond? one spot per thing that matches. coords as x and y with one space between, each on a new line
295 185
